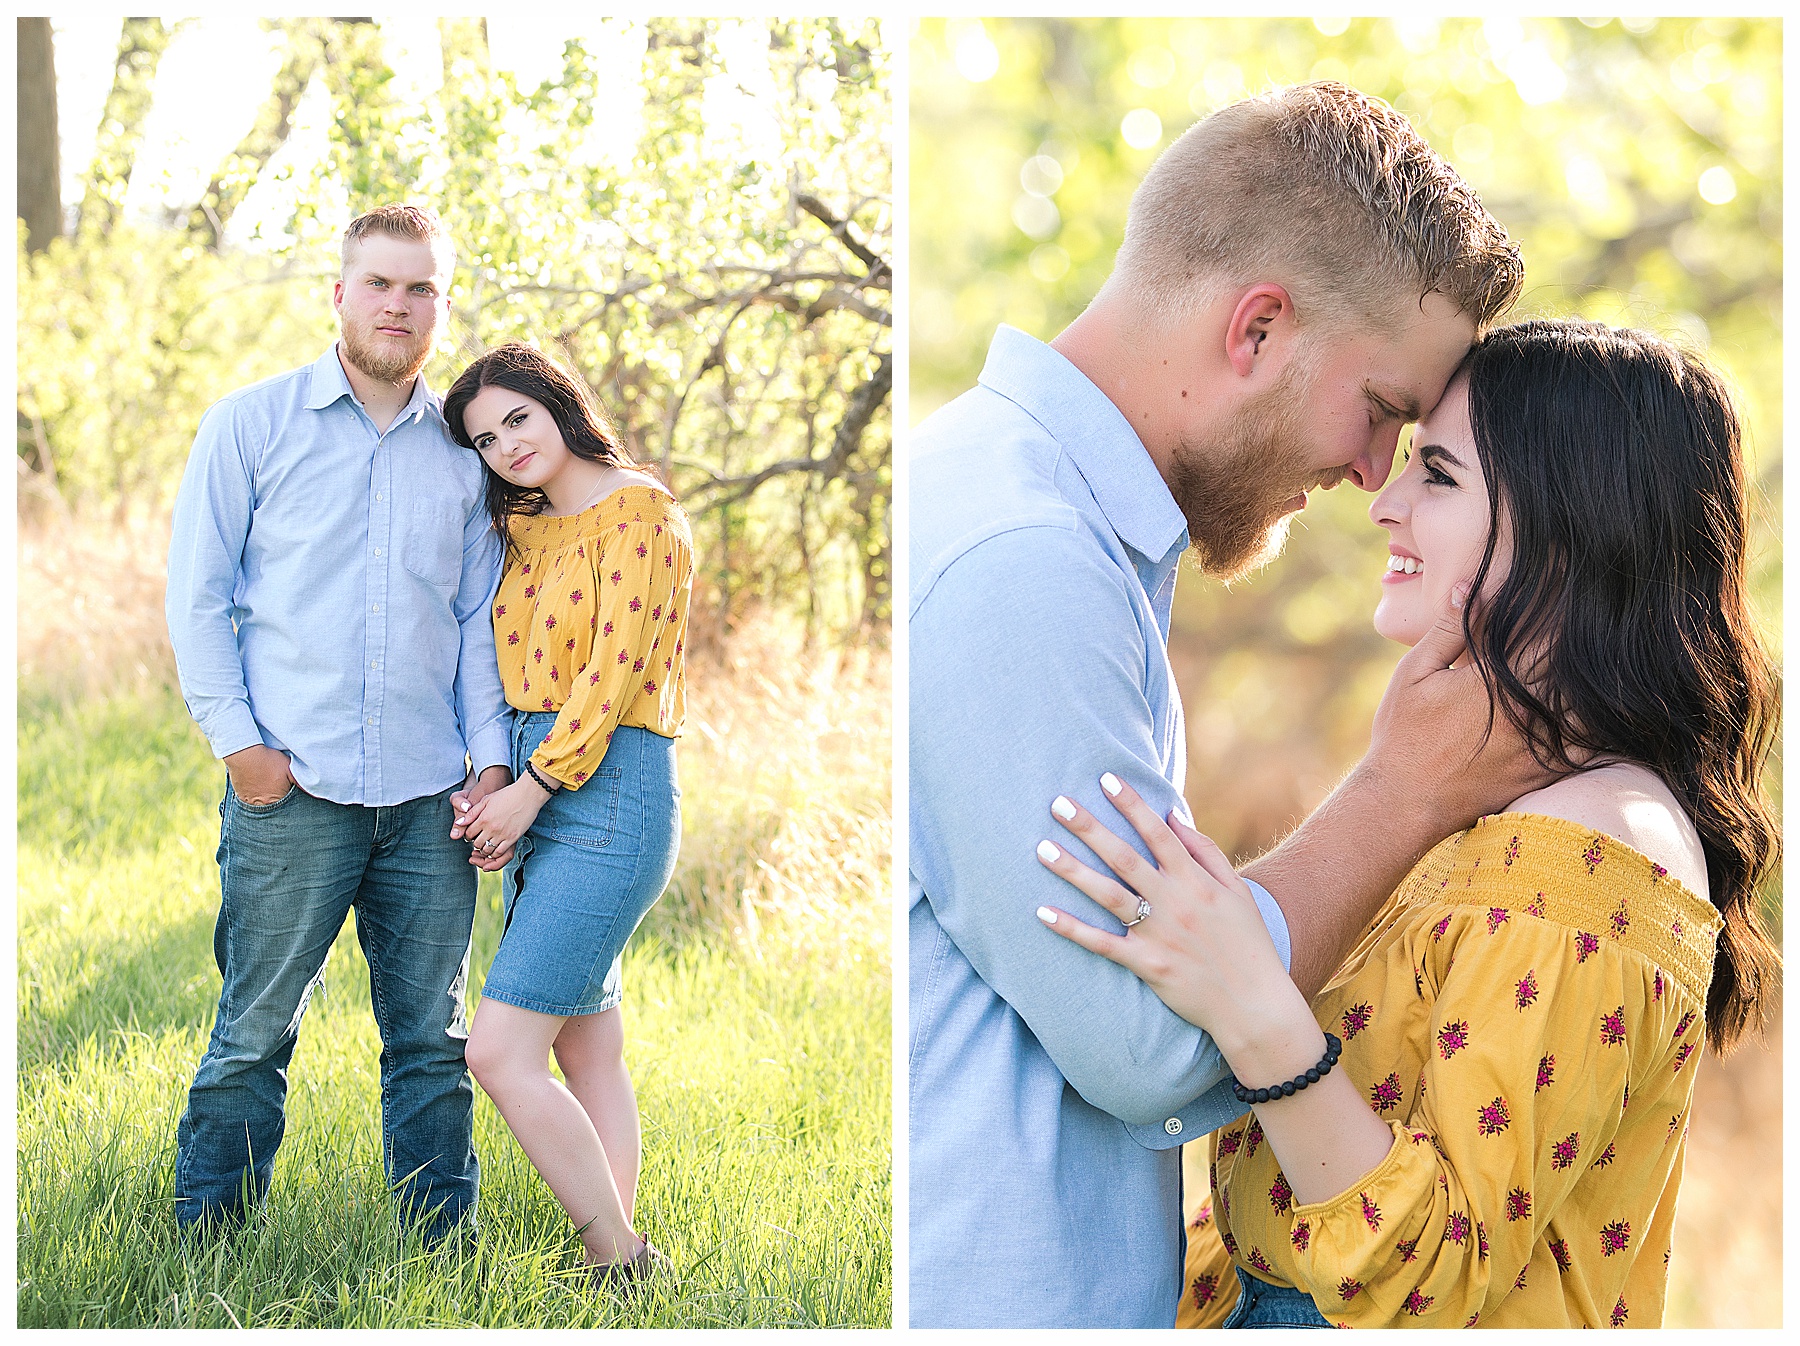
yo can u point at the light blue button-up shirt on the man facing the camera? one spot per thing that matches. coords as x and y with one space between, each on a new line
330 589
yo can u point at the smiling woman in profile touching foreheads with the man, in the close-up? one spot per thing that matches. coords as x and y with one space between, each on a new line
1502 1136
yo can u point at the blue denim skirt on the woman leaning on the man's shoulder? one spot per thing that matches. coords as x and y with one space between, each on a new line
586 874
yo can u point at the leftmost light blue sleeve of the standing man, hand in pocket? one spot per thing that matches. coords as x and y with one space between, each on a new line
206 555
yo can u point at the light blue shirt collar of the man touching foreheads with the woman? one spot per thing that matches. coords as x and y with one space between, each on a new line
1095 435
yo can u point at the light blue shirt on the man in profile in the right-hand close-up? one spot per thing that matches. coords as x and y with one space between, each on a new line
1050 1090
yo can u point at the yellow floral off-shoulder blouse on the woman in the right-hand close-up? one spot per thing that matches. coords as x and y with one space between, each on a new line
1527 1012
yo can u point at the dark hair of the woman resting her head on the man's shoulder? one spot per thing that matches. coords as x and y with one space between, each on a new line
584 426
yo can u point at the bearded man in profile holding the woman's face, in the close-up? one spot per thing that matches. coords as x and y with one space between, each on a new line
1300 276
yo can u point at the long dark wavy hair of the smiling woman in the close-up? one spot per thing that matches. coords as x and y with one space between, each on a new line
1623 631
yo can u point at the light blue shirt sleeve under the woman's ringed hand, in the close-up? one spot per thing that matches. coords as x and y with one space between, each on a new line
991 748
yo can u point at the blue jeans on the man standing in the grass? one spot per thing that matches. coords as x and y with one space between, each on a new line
289 875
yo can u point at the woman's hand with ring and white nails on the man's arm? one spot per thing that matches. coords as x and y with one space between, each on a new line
1203 947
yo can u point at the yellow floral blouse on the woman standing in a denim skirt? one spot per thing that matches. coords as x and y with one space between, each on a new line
589 624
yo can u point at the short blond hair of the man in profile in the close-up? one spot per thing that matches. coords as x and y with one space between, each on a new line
1324 190
